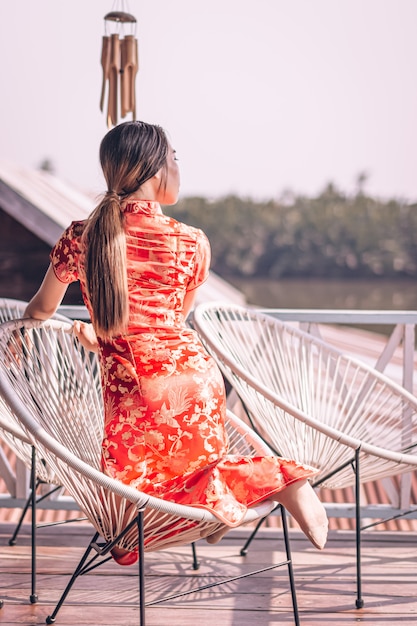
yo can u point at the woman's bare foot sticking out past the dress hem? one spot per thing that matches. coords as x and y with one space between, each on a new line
302 503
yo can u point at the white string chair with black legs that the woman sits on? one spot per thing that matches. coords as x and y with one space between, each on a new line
46 378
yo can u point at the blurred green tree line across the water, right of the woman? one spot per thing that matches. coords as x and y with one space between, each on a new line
333 235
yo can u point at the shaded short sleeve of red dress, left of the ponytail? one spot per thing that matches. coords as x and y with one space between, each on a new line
65 254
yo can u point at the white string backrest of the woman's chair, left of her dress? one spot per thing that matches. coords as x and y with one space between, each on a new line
59 383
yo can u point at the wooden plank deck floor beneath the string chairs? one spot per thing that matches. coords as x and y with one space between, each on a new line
108 595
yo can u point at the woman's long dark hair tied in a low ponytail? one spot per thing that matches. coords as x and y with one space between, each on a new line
130 154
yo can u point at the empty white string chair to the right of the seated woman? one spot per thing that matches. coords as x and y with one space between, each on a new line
312 403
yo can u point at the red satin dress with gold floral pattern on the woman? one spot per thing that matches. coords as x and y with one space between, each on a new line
164 396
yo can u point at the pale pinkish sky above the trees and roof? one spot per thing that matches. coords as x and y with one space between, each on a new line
257 96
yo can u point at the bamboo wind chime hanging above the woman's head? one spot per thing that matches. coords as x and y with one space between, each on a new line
119 59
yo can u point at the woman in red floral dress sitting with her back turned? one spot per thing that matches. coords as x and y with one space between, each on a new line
163 394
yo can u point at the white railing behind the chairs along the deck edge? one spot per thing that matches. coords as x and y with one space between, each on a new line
396 356
